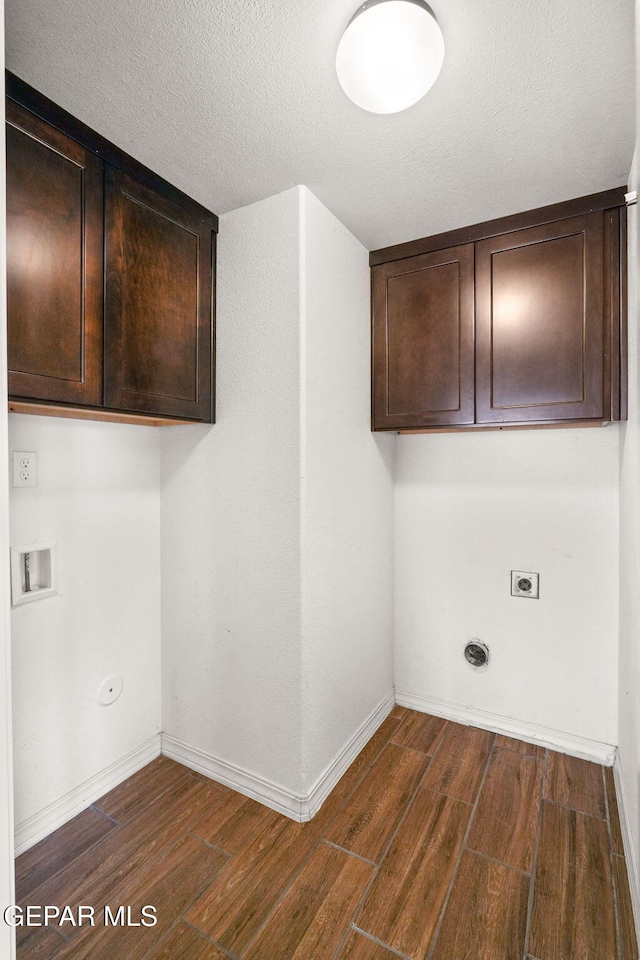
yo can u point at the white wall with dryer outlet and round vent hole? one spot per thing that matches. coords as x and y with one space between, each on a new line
470 508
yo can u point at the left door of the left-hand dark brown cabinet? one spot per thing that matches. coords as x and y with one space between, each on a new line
54 263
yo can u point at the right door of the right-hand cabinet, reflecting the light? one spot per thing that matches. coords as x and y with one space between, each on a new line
540 350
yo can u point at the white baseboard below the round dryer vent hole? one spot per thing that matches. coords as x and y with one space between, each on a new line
603 753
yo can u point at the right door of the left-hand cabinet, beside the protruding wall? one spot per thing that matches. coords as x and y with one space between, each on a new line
158 309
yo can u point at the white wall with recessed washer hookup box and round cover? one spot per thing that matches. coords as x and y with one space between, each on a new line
98 495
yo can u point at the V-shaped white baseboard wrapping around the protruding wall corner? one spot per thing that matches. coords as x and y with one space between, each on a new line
298 807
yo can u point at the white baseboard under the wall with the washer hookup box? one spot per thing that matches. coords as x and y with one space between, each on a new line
41 824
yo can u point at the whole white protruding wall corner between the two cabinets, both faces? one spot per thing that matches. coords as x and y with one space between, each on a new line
277 536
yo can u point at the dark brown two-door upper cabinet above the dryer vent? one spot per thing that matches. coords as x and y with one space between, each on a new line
512 322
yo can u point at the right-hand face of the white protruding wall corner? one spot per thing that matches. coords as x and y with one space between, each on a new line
347 490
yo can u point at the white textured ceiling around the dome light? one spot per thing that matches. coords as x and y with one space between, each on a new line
236 100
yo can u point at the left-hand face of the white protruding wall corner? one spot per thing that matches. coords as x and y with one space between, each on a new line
231 509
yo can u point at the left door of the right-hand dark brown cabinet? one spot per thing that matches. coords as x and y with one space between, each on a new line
423 340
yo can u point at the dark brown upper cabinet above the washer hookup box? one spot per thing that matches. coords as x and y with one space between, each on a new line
110 277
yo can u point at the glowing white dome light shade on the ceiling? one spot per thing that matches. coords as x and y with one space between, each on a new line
390 55
